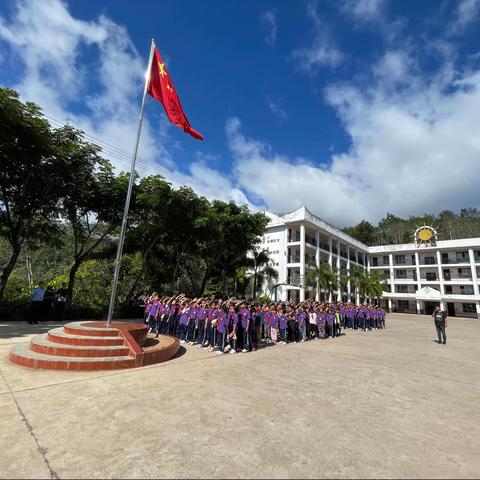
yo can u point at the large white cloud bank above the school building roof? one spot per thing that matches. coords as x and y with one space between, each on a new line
413 150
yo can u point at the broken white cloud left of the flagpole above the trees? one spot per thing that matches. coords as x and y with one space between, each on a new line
50 44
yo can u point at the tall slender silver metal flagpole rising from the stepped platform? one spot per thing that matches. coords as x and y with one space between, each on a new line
118 258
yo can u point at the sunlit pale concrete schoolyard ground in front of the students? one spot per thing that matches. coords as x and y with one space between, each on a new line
389 403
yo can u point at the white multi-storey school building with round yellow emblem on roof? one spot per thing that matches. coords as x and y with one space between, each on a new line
419 275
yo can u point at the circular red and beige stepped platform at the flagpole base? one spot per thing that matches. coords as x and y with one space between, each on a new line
92 346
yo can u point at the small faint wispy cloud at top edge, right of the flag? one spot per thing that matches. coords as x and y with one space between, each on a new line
321 52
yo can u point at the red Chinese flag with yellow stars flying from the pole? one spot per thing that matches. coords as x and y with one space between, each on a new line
160 86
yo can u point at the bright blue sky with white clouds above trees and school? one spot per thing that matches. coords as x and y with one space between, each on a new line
352 107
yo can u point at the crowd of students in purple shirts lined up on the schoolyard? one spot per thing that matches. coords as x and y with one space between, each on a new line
237 325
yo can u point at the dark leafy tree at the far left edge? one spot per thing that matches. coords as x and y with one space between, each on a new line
36 173
